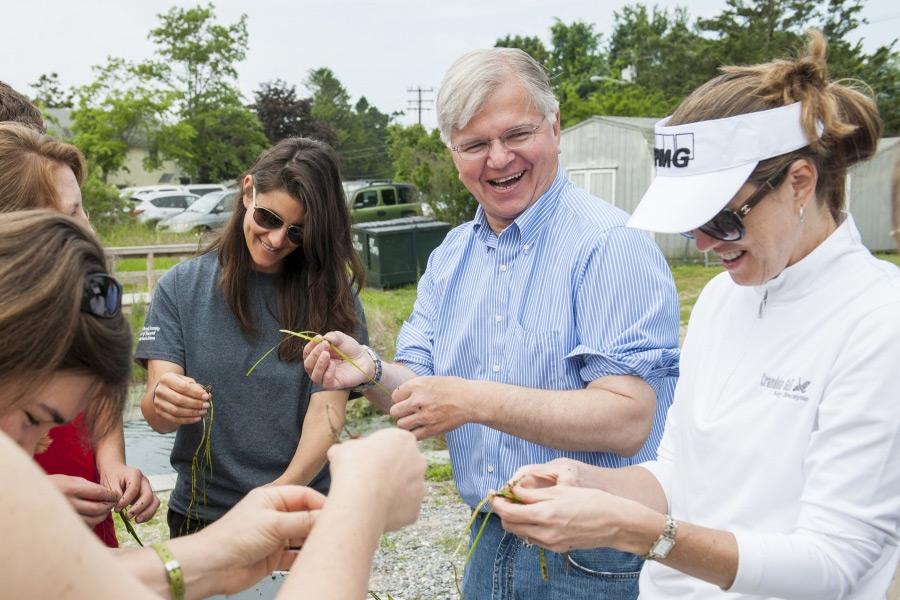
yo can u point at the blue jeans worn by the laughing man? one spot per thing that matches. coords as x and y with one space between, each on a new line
503 568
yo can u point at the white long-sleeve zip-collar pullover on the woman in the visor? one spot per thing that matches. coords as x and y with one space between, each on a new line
785 429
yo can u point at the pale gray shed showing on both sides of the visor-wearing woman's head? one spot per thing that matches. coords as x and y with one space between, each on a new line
612 157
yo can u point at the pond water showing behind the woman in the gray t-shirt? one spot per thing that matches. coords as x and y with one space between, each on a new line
149 451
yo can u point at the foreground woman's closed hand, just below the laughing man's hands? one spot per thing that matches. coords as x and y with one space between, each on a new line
384 471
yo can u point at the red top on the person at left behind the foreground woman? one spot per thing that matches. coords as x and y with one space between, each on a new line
71 454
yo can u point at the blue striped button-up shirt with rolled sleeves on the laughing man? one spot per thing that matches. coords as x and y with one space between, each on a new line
564 295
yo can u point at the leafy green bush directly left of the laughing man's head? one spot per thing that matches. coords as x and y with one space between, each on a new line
422 158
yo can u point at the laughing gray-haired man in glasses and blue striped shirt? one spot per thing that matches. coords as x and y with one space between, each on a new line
542 328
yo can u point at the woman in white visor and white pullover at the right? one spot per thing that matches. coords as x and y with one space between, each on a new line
778 475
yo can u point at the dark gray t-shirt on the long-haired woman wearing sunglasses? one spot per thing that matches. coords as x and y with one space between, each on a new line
257 419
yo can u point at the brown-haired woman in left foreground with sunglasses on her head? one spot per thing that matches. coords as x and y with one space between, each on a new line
66 350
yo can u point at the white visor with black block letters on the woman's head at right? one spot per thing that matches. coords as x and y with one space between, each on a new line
701 166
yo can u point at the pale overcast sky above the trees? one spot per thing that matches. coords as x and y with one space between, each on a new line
377 49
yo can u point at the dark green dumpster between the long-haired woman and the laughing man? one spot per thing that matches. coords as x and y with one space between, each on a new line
395 252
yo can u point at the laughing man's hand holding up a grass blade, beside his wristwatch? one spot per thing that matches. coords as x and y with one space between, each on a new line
328 369
